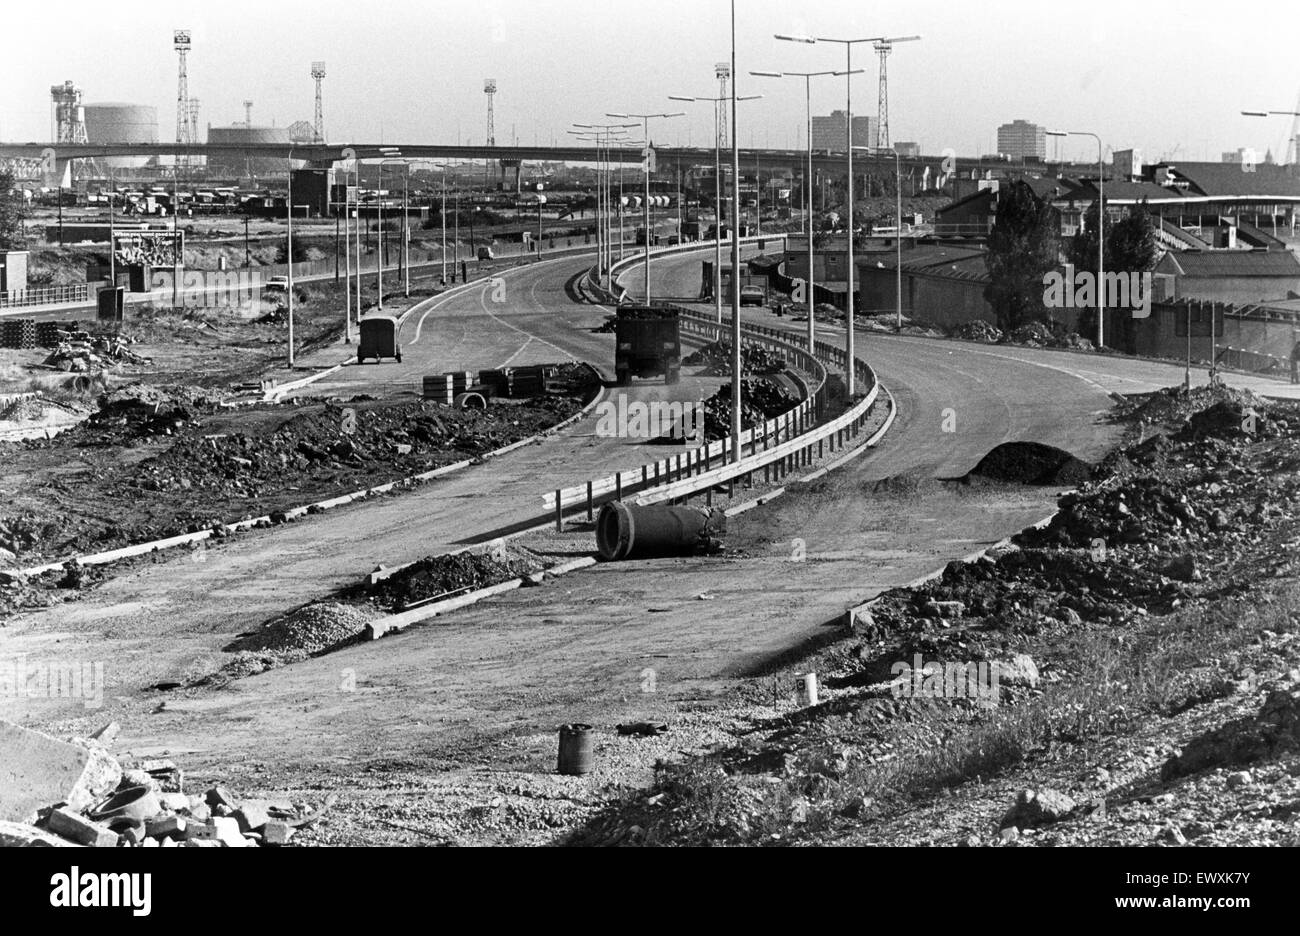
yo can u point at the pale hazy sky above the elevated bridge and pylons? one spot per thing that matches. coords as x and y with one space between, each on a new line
1168 79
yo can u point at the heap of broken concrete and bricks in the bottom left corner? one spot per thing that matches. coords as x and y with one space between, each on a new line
77 794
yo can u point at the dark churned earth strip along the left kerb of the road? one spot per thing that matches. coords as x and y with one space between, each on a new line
155 462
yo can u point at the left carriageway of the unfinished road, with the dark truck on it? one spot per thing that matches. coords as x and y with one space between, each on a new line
255 577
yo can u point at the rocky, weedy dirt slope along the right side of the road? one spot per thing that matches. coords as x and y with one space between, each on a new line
1130 674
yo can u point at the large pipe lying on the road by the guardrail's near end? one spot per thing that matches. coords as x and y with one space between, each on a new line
631 532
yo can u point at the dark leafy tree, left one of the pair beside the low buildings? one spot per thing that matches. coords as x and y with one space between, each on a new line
1022 249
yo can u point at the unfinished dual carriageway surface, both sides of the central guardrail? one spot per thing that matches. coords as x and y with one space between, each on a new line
488 686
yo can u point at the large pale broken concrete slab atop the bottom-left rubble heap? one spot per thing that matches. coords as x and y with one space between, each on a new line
38 770
